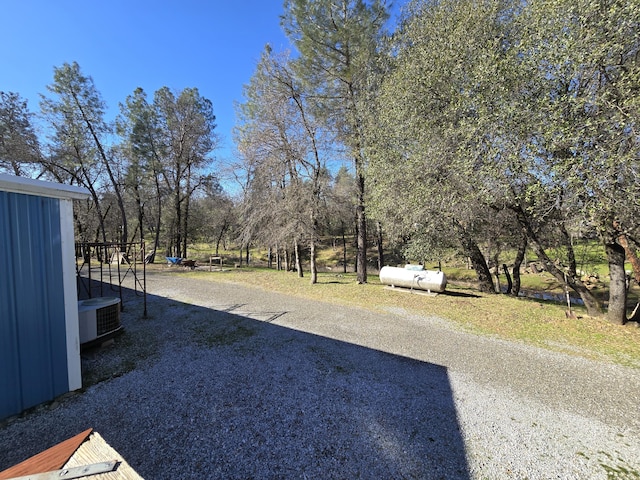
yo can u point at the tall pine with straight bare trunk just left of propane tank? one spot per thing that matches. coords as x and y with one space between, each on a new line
338 43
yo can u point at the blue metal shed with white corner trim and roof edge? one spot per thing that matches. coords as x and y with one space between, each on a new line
39 332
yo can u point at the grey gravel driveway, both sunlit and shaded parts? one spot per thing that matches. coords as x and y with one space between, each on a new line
226 381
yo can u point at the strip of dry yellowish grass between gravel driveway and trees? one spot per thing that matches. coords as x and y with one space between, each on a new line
534 322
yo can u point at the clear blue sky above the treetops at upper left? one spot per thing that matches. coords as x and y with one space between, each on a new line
124 44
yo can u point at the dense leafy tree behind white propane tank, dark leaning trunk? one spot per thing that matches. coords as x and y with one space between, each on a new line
420 148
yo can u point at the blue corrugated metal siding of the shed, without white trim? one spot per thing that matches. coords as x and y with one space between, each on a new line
33 358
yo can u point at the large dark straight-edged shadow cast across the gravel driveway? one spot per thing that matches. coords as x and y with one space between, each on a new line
203 392
